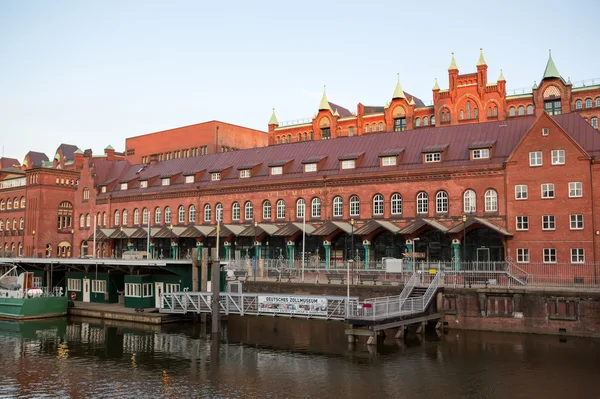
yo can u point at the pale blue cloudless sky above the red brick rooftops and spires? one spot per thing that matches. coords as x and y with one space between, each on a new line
92 73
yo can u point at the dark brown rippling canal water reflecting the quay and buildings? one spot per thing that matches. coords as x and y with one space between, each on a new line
285 358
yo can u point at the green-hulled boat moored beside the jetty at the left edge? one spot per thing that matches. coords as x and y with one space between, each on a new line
21 300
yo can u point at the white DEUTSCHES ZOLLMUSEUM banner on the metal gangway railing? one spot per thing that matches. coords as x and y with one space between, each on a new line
291 304
